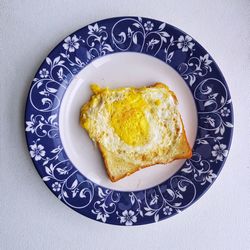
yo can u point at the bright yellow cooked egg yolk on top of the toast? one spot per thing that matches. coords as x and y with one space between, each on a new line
128 119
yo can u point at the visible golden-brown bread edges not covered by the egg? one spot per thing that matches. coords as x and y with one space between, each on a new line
118 167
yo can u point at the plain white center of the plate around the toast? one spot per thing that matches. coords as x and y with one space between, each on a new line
120 70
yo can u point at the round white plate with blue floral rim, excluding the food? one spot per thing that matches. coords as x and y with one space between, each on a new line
127 51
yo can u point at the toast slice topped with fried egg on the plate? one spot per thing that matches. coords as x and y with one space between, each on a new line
135 128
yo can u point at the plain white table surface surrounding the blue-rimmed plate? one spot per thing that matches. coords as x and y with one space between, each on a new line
31 217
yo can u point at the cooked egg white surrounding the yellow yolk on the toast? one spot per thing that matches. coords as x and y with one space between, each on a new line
160 136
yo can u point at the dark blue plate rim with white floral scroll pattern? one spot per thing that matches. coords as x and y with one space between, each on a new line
204 79
